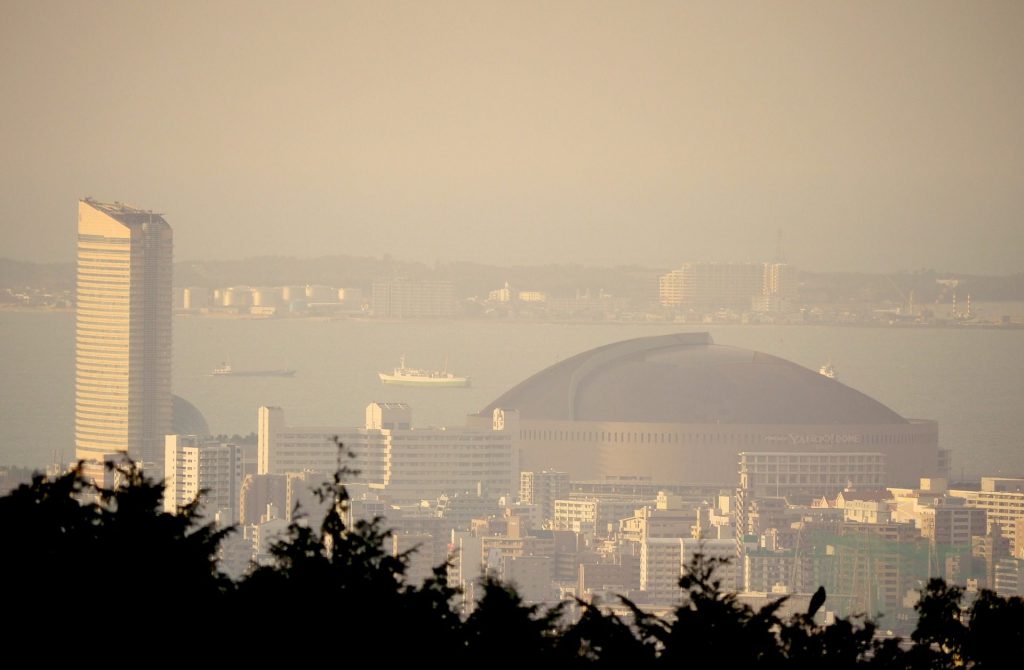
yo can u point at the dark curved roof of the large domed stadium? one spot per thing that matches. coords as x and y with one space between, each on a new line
687 379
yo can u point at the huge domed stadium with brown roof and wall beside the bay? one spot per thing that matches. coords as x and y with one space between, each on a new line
681 409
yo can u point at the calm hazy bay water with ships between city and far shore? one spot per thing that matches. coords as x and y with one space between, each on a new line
970 381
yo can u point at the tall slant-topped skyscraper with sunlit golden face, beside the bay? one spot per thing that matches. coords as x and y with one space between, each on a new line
123 336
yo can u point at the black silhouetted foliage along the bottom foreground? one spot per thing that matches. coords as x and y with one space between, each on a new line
99 570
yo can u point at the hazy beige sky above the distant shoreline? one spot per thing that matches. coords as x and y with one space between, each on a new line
877 136
